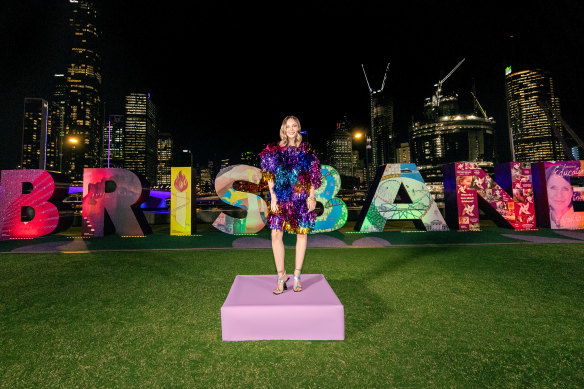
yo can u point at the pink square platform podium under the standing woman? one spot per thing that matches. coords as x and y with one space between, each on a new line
252 312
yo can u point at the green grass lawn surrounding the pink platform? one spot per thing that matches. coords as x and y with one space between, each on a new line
482 316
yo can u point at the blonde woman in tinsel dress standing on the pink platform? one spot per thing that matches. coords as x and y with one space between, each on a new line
293 173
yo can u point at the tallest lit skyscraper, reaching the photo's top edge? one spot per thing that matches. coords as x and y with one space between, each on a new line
82 119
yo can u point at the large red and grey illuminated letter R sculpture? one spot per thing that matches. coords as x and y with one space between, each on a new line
111 200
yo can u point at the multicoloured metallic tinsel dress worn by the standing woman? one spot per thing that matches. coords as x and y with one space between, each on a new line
294 171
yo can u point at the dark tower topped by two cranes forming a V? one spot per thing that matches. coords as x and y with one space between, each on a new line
383 137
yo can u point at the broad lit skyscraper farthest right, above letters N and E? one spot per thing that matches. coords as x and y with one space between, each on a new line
531 134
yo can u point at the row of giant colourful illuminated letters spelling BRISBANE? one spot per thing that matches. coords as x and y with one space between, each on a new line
520 196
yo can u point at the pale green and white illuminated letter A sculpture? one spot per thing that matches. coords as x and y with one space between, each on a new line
417 203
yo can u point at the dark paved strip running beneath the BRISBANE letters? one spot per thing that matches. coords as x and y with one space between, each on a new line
337 239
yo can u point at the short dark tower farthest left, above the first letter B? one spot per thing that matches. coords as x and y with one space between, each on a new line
34 134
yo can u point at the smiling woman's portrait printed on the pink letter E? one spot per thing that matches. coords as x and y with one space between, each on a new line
560 193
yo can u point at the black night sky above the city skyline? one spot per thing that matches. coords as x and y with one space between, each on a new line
223 74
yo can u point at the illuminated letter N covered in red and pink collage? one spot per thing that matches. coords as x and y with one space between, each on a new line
467 186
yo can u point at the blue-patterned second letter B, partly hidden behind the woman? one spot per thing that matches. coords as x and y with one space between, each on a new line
335 210
